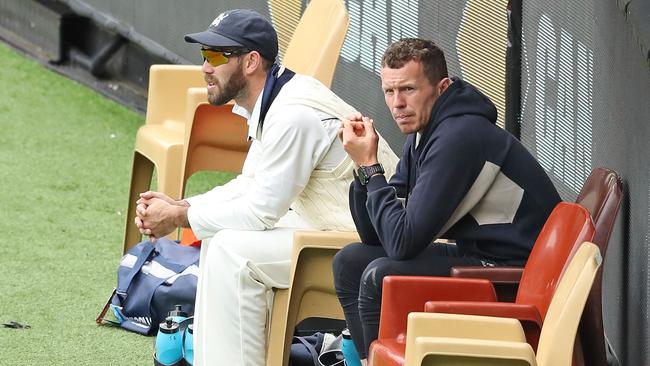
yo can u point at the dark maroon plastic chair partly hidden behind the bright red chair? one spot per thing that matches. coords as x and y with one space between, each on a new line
601 195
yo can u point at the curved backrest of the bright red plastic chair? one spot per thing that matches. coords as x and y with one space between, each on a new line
566 228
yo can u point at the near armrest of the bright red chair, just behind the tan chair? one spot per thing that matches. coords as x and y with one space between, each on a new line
528 315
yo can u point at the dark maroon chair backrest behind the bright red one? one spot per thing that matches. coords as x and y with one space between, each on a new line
601 195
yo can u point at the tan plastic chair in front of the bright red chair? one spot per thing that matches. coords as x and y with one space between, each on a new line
452 339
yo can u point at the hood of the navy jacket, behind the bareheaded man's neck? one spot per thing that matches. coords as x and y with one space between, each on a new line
460 98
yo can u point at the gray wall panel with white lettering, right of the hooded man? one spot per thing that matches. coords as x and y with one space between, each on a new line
585 91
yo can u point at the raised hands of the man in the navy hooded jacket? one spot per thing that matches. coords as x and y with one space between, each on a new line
359 138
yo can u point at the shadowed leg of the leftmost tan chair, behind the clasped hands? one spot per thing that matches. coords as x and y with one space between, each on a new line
141 174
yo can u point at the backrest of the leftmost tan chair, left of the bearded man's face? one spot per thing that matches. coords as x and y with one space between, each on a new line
168 85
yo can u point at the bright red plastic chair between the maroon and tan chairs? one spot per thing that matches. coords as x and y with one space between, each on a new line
567 226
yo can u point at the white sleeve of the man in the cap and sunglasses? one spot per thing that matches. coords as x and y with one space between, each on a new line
293 142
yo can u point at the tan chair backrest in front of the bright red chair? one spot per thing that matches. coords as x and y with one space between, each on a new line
561 322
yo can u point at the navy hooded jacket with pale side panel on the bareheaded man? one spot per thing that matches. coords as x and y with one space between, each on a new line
466 180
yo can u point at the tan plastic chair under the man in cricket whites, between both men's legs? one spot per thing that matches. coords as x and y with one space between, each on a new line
311 289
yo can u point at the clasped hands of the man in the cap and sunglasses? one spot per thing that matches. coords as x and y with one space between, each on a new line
158 214
